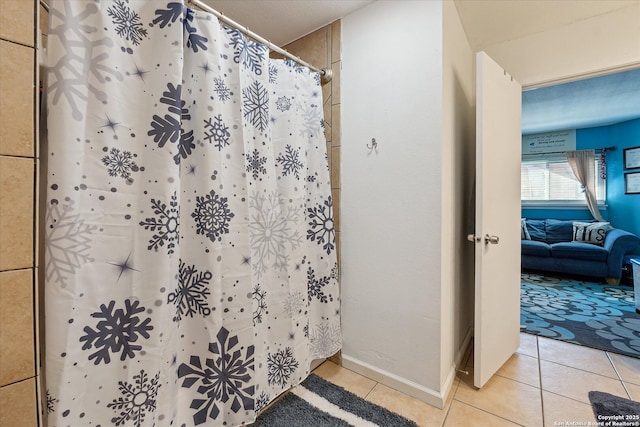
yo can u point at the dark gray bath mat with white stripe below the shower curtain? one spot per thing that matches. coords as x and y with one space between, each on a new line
319 403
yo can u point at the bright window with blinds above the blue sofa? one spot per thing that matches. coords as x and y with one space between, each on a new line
550 178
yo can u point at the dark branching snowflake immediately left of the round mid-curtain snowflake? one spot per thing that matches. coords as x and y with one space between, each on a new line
166 226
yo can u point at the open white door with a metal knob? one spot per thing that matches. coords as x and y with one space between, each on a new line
497 229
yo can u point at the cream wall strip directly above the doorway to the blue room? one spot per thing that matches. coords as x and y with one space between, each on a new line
603 42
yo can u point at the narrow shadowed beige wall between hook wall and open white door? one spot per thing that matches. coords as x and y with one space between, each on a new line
458 171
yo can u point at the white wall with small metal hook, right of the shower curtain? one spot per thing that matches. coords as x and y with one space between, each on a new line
391 200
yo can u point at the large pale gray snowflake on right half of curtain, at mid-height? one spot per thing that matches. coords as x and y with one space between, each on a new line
271 232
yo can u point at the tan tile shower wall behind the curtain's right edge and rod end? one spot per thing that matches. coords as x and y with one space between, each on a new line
322 49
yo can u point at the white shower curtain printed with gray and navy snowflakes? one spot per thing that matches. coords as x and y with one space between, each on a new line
191 271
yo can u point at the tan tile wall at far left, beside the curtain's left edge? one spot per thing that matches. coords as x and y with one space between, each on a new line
19 372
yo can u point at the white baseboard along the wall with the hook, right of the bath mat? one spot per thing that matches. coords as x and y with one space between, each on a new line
408 387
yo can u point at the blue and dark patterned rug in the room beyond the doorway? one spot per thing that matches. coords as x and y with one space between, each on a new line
592 314
